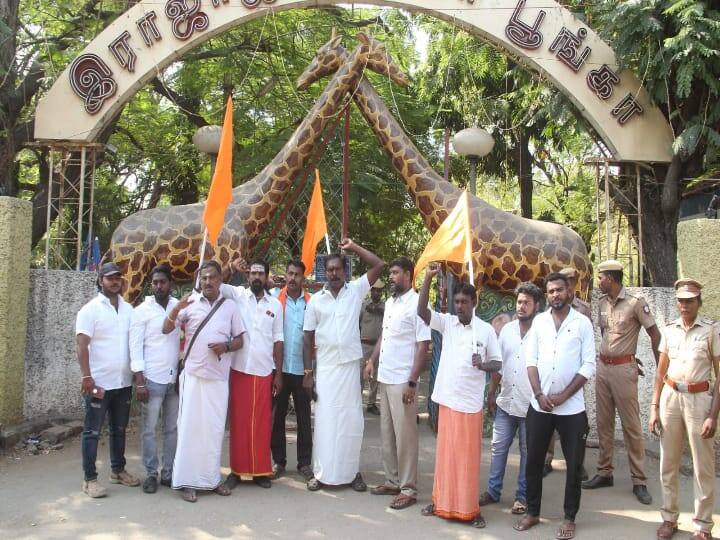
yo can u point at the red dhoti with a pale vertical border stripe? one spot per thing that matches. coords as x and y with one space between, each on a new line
250 424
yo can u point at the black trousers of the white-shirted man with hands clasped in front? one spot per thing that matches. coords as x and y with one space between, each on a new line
573 430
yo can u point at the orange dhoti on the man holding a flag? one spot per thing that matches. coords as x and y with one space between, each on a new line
457 465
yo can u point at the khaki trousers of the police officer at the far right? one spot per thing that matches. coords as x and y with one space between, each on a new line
681 416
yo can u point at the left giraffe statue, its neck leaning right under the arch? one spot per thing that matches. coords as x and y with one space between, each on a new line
173 235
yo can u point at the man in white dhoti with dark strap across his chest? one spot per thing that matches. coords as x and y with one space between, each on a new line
213 328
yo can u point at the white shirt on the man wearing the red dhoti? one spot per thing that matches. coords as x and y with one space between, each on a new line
263 320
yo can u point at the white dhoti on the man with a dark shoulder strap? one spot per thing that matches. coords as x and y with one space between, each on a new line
201 429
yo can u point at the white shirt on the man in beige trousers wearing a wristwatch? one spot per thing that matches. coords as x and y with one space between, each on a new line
402 329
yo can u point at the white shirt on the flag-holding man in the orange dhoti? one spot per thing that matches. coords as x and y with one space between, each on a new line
459 385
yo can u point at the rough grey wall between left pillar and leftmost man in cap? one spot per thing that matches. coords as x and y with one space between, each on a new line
52 374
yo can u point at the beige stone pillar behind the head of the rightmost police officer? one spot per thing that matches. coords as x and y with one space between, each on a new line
698 256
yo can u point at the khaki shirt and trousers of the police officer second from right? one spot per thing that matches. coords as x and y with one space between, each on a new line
616 385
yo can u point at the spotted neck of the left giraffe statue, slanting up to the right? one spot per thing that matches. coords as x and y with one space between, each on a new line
255 201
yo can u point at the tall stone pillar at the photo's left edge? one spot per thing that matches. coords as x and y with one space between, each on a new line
15 235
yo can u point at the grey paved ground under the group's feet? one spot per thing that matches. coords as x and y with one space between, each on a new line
41 498
